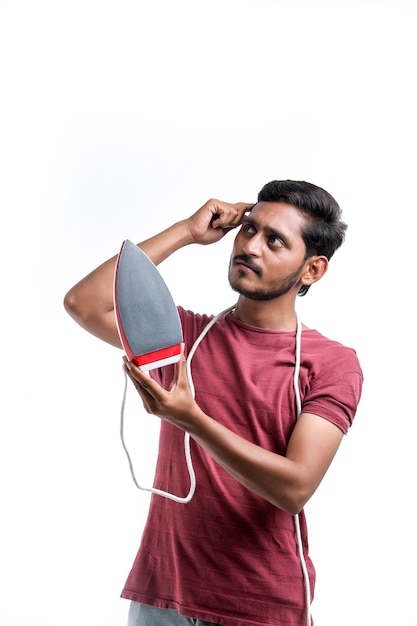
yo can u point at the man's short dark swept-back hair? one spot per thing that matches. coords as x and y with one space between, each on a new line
324 231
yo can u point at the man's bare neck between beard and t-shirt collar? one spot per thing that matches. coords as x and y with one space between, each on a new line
278 314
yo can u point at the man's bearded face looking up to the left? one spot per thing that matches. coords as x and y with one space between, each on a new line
268 253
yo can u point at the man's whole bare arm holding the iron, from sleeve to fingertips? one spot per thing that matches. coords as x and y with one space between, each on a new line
286 481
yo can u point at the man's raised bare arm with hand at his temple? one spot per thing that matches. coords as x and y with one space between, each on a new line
90 301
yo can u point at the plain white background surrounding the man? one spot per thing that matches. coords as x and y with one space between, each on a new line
118 118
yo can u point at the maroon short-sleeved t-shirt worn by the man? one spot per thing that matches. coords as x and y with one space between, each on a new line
228 556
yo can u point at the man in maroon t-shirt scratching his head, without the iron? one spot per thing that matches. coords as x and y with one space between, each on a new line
264 423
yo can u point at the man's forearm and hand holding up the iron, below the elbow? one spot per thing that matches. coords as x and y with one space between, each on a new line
285 482
